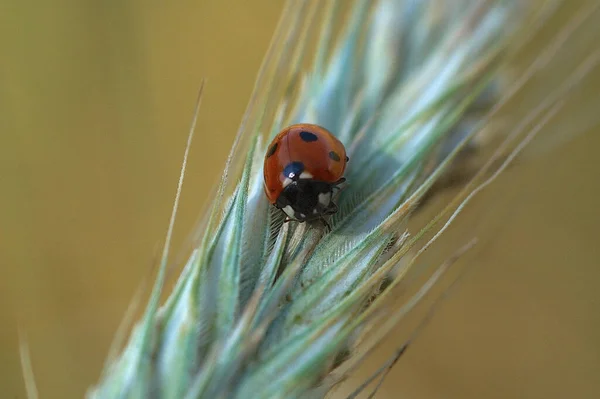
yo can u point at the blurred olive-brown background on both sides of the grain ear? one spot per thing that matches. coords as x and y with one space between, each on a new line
95 102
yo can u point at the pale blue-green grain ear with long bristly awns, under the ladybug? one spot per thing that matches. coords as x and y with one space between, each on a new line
264 309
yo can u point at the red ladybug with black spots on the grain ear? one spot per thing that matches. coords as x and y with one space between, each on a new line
303 165
